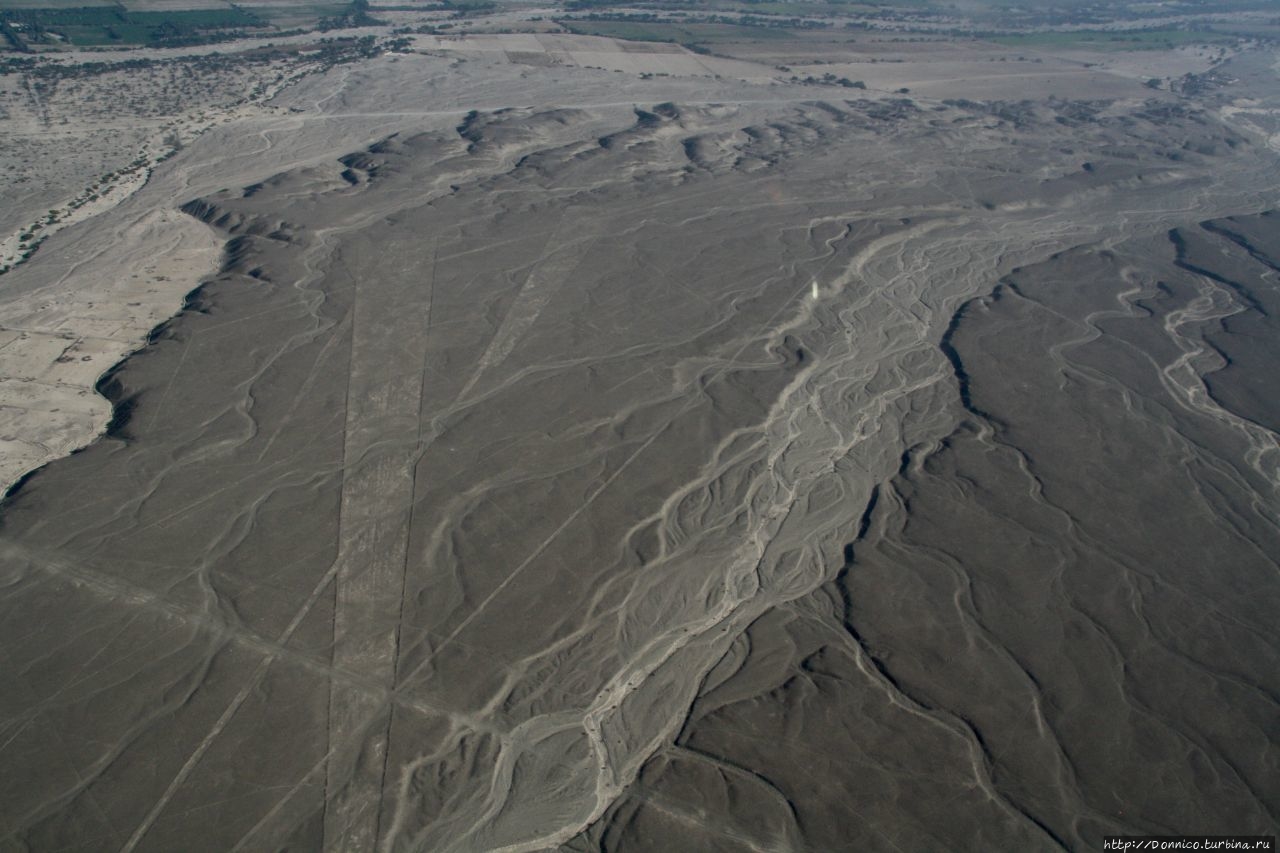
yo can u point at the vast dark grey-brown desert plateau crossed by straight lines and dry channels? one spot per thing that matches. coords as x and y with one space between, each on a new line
588 478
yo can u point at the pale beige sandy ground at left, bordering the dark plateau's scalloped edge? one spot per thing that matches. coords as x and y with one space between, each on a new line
58 339
